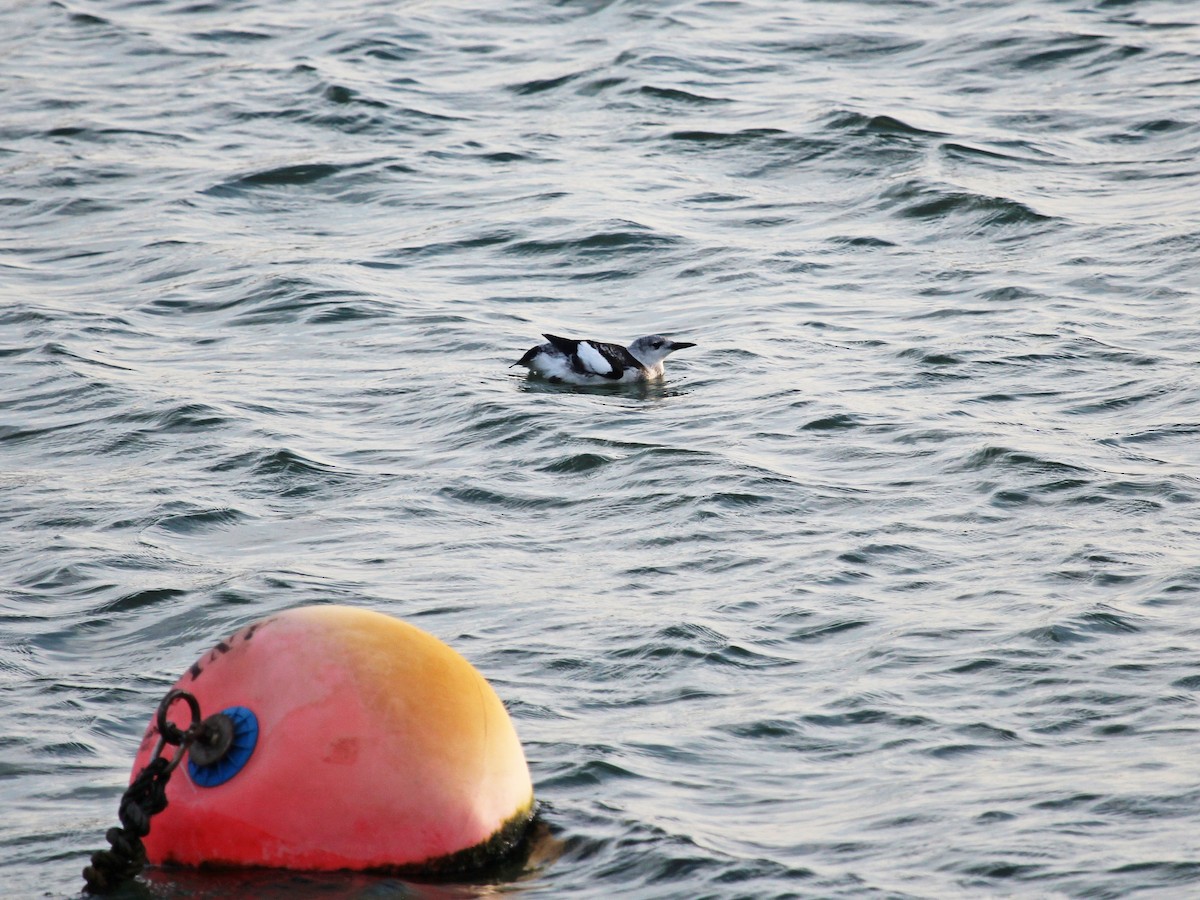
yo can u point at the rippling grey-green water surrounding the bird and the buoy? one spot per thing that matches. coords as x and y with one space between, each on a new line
890 590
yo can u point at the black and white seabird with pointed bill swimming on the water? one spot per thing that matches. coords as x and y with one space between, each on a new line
573 362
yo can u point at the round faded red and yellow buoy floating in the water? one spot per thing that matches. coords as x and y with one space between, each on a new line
351 741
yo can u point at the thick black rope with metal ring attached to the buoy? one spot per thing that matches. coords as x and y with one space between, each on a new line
146 797
